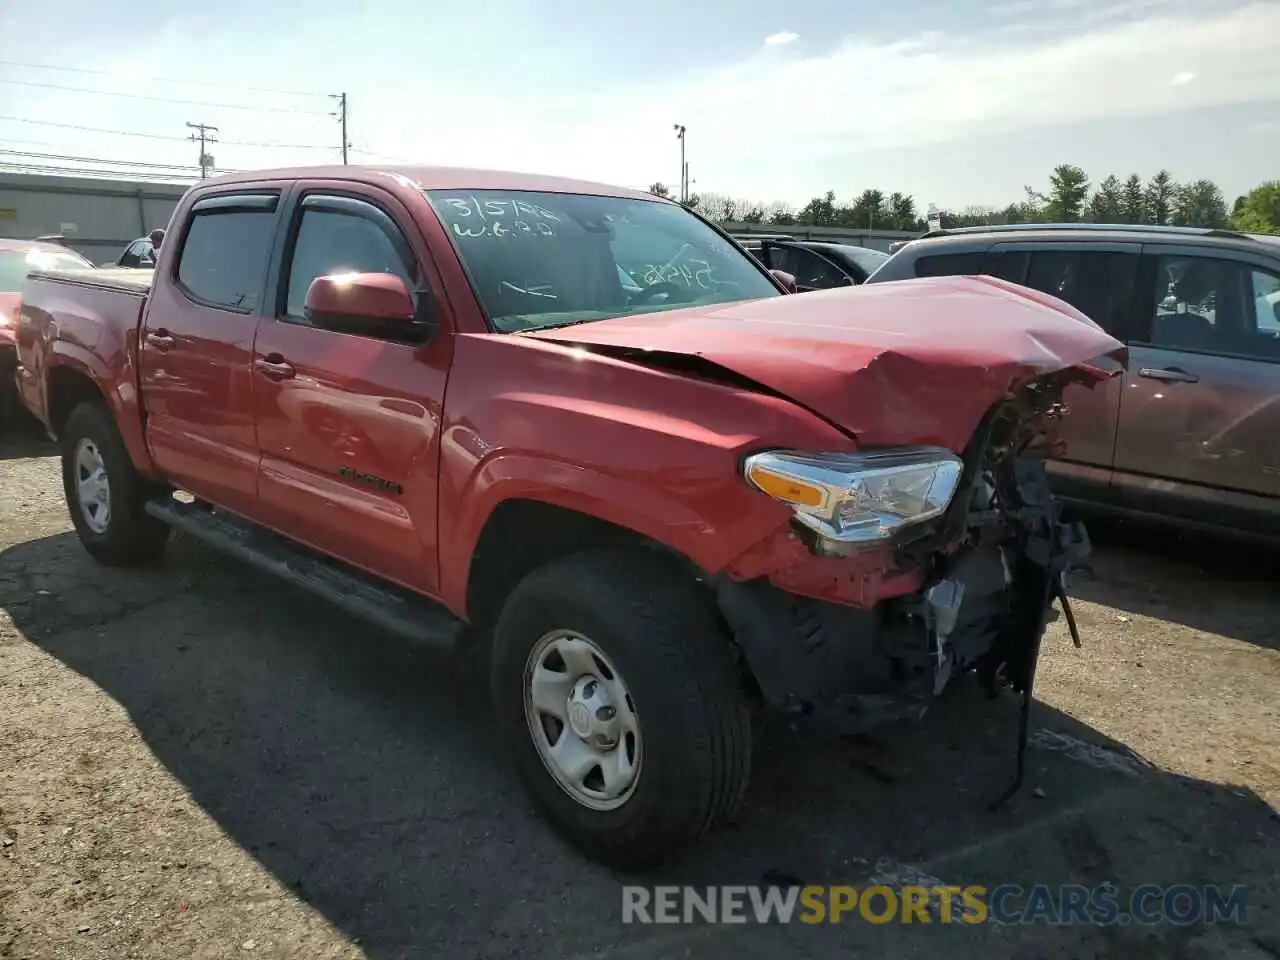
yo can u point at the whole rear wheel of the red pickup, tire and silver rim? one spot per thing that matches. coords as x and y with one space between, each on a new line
106 495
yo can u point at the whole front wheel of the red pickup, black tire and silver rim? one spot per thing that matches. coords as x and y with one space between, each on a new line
623 703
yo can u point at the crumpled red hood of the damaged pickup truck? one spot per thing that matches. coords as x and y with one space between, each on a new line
913 362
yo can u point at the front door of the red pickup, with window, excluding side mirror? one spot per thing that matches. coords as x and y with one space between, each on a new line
349 426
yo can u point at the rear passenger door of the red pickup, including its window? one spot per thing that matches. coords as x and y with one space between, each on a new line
196 350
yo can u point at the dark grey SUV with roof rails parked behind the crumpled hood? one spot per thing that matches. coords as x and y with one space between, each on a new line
1192 432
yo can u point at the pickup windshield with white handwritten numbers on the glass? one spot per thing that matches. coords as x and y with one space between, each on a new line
541 260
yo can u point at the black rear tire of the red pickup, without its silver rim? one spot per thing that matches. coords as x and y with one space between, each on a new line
131 534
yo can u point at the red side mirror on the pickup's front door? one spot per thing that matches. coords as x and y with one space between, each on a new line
374 305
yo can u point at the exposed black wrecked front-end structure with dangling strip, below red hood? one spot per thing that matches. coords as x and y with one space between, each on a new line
996 564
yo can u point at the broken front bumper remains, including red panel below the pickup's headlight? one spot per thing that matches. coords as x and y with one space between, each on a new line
980 605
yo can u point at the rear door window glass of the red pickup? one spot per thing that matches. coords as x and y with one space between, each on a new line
225 258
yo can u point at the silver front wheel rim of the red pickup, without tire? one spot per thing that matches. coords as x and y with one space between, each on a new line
583 720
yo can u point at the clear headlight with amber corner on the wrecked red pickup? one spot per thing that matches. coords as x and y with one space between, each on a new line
860 499
